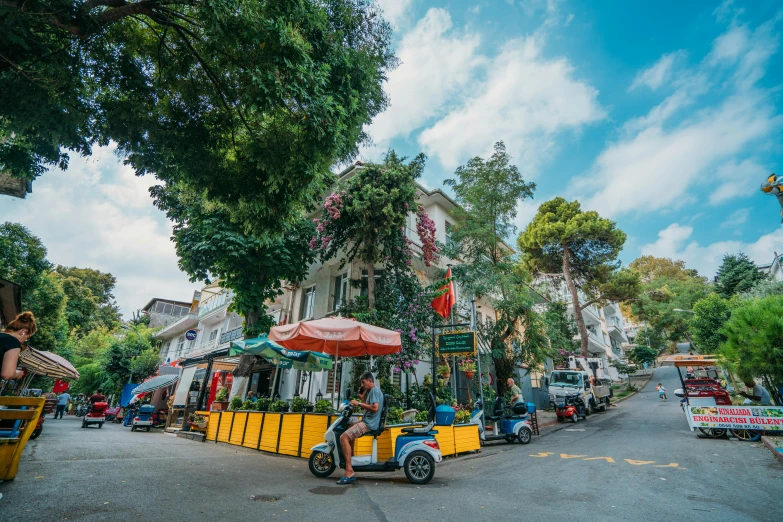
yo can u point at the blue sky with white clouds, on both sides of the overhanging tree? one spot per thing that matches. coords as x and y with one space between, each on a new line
664 116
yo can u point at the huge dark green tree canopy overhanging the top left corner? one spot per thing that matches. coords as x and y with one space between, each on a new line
248 101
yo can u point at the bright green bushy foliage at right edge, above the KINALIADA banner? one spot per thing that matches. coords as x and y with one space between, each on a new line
754 338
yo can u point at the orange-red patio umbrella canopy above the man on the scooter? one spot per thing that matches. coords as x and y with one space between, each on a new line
337 336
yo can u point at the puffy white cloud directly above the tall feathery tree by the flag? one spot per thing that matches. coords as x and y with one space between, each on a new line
525 101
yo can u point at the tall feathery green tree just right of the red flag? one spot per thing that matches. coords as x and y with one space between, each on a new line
488 192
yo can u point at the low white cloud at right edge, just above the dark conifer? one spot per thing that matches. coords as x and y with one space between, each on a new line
673 242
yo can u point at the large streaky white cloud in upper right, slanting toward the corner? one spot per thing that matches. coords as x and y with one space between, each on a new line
659 163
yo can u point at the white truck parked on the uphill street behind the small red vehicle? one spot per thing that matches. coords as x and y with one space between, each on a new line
588 378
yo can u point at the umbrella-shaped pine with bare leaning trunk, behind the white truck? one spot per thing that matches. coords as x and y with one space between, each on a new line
583 247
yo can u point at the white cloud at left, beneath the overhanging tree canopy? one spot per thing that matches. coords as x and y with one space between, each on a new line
98 214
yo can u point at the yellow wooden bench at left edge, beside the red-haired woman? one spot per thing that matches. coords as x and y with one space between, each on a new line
11 448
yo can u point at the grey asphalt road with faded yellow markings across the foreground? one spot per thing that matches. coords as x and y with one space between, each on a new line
637 462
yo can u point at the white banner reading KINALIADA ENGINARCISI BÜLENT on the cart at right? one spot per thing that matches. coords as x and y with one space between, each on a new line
736 417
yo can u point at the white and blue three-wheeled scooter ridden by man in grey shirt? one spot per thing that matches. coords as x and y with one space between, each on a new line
416 449
